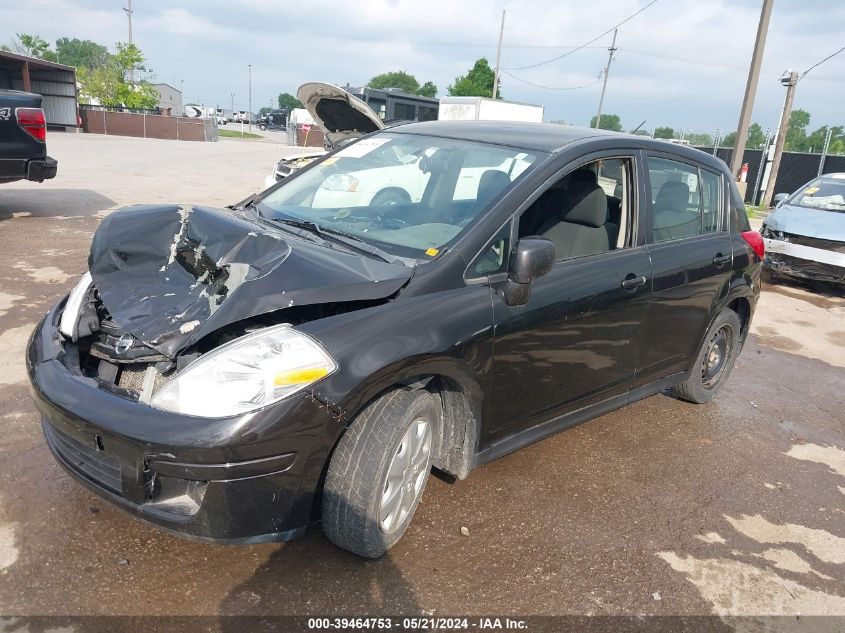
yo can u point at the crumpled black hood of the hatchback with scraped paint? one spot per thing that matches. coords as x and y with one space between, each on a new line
171 274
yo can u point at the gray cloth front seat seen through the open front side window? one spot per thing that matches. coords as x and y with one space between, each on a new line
582 230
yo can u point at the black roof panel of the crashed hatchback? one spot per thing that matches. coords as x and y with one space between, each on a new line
546 137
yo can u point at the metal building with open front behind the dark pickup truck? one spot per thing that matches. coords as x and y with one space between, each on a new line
56 83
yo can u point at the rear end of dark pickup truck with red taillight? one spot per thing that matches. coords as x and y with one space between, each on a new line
23 133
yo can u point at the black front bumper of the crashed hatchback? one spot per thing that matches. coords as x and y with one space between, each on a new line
251 478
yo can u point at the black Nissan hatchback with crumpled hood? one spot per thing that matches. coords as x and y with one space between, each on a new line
231 374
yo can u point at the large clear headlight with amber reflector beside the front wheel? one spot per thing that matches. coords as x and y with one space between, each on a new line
248 373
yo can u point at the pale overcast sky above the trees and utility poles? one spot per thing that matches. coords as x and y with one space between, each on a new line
681 63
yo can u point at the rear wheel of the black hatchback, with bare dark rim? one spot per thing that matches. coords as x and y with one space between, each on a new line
711 371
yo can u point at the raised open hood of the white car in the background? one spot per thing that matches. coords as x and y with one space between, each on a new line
341 116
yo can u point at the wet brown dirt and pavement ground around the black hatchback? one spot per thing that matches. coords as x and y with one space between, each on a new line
732 508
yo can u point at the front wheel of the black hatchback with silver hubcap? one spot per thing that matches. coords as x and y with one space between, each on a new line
357 500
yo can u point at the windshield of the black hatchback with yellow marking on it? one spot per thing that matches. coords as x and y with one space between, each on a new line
408 195
